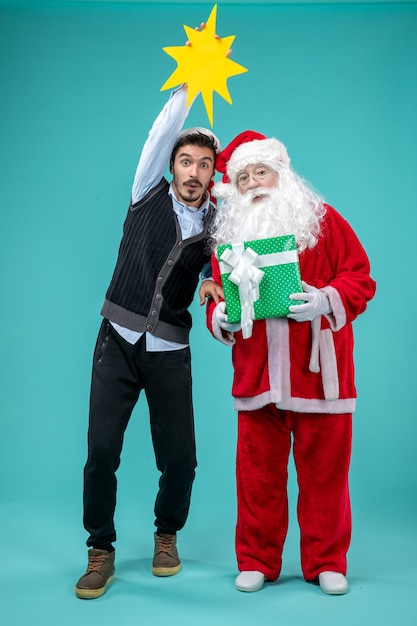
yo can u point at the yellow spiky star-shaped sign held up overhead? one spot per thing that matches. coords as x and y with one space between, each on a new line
203 64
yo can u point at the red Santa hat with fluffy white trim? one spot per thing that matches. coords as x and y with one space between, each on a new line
247 148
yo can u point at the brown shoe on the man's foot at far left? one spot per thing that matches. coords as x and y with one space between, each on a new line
100 572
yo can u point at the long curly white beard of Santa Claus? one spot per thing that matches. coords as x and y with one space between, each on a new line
292 208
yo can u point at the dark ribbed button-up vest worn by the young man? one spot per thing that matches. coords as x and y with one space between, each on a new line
156 272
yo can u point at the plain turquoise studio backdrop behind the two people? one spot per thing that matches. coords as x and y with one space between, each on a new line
80 87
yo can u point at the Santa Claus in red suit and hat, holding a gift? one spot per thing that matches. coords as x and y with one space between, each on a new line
294 376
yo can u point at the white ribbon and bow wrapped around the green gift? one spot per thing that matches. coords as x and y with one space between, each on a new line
244 267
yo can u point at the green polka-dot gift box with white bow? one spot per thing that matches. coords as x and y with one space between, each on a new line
258 277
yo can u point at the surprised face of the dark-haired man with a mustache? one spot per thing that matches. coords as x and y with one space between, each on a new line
192 170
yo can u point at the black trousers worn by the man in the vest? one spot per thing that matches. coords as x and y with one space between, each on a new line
120 372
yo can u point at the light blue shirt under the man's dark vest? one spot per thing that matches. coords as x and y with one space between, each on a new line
151 168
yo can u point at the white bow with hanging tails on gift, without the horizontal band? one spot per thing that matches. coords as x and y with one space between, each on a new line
243 266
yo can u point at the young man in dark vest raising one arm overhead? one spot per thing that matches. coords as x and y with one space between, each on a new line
143 339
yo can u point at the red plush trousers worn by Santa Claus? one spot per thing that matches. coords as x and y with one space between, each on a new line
321 449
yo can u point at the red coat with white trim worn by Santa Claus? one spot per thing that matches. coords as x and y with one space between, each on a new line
306 367
